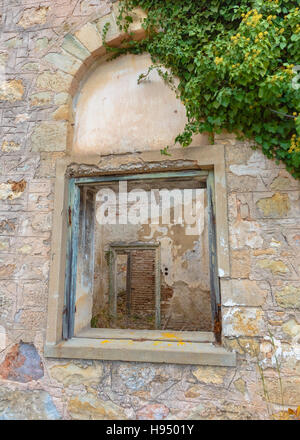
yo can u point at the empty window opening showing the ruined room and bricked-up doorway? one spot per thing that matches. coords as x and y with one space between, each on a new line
144 257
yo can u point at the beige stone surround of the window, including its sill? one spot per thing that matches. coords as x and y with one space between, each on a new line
140 345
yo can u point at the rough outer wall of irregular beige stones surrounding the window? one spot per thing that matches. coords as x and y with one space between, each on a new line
260 299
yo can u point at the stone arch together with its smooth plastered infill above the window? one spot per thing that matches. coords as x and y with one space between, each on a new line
106 110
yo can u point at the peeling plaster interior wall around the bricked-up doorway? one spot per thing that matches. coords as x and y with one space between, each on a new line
185 289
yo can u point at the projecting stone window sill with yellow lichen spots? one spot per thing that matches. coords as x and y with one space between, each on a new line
137 350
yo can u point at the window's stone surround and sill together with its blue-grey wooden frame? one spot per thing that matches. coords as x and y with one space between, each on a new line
87 344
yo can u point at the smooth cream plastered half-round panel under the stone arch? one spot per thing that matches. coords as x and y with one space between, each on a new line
114 113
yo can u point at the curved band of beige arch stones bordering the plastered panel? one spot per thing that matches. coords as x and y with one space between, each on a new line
68 62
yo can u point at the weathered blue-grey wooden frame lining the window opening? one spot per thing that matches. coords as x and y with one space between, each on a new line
78 189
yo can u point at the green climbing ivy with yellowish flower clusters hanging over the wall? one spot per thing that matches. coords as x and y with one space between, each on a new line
238 64
